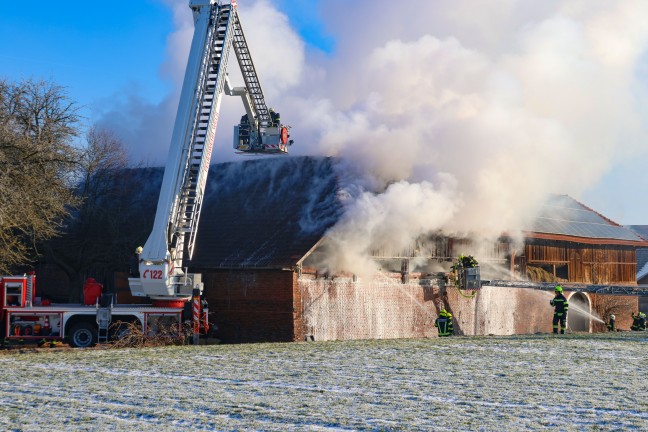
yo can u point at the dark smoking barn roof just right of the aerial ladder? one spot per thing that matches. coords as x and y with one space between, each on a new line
265 213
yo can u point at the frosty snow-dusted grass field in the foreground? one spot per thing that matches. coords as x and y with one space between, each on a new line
571 382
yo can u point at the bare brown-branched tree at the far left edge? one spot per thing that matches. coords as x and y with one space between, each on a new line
38 123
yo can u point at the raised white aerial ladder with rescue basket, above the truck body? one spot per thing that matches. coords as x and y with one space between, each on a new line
217 30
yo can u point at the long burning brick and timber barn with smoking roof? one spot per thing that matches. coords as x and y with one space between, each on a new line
264 223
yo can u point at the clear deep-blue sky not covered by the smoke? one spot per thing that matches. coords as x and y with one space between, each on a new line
98 49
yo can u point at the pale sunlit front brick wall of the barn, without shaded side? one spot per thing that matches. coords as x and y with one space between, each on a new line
343 309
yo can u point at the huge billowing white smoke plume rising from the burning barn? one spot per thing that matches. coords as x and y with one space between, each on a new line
460 116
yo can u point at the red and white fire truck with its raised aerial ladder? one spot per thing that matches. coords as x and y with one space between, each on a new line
175 294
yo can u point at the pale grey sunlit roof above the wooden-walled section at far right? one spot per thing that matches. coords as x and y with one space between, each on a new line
564 216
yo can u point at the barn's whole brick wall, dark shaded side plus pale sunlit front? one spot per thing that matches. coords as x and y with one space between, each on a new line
279 306
